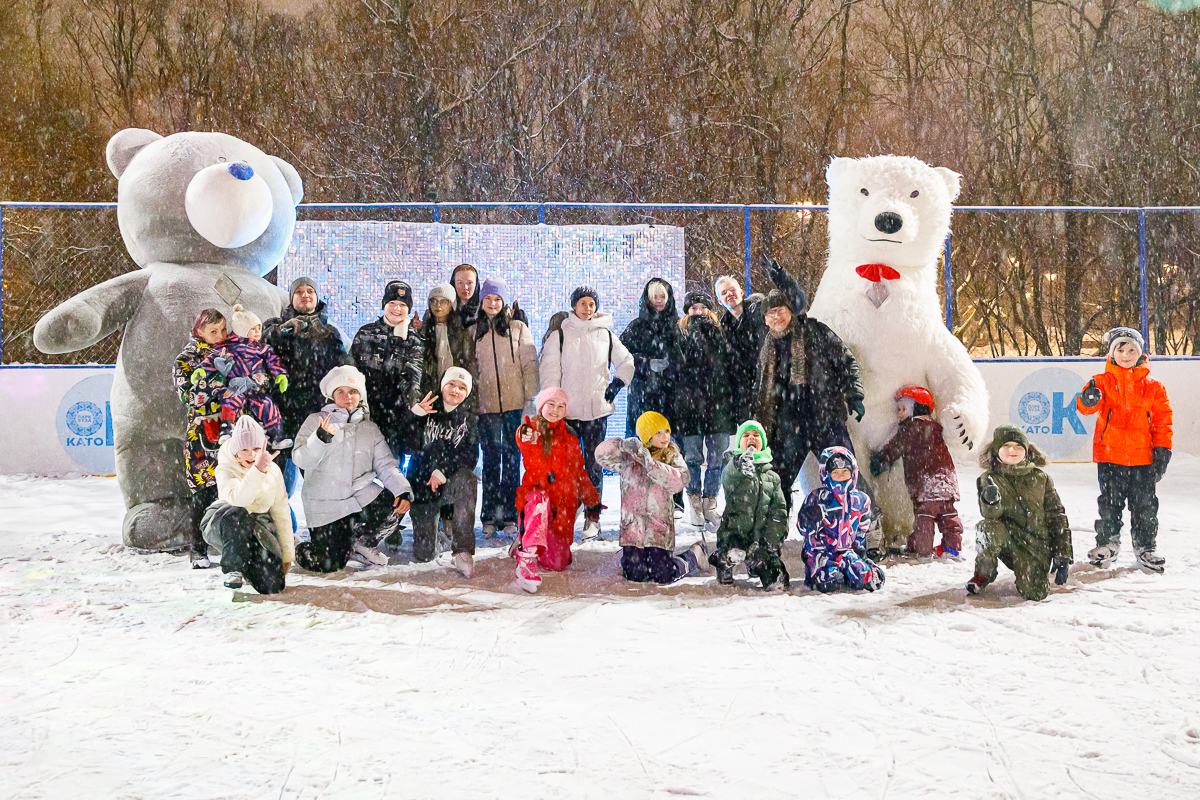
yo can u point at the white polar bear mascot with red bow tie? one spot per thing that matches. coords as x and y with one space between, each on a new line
889 220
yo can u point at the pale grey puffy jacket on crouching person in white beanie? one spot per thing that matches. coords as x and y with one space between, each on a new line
340 476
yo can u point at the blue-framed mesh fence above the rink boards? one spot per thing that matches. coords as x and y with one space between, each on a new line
1023 281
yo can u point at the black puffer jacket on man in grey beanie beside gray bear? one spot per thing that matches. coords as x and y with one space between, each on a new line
309 346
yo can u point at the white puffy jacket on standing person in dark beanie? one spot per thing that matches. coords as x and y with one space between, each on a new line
580 365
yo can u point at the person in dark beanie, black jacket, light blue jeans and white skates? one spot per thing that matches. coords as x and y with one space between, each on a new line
704 404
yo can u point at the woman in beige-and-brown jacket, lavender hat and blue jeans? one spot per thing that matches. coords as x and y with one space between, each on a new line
507 369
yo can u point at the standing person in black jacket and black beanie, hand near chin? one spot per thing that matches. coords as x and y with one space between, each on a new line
391 354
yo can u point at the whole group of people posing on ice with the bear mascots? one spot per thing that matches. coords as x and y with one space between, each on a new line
395 426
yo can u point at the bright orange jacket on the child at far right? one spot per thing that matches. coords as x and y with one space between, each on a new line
1135 417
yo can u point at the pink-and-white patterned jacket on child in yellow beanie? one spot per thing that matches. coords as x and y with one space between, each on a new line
647 491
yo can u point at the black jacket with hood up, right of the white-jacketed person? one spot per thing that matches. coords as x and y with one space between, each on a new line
653 340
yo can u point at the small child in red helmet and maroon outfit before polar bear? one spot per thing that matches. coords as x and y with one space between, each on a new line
928 474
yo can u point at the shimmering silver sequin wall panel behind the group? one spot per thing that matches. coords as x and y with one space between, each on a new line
351 262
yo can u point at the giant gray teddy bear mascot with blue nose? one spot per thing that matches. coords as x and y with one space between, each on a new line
206 216
